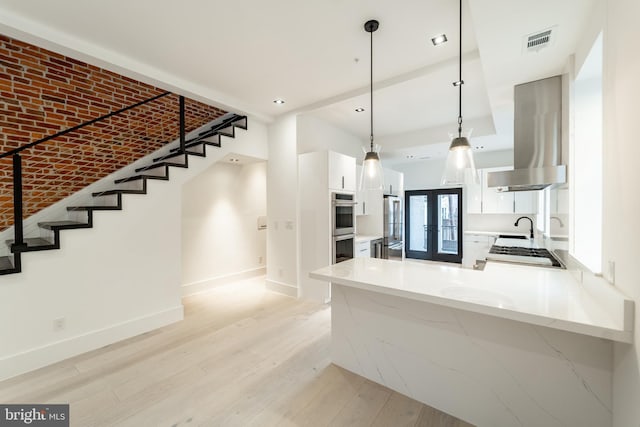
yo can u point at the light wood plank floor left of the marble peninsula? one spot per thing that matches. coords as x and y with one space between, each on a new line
243 356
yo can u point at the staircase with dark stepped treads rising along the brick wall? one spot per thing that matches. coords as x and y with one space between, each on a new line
112 199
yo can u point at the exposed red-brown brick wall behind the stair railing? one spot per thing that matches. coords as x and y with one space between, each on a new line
42 93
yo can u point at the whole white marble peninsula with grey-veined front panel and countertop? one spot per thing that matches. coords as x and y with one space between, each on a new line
508 346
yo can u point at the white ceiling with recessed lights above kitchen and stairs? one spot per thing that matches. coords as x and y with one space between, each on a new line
243 54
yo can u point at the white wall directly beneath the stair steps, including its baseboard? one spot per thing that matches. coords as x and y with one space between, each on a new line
116 280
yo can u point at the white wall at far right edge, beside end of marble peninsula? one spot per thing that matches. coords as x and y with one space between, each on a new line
621 198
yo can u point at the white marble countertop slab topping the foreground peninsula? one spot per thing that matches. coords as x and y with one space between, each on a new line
535 295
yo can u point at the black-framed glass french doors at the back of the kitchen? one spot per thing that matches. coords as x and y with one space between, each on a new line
434 224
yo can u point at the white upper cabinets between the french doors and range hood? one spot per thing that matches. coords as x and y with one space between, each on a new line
484 199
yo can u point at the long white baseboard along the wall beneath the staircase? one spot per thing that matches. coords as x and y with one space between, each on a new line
39 357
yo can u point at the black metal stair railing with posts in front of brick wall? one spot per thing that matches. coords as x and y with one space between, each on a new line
18 209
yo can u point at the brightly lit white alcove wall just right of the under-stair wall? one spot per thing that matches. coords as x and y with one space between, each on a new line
220 237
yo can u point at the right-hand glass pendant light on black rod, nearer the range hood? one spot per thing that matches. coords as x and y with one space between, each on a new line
460 156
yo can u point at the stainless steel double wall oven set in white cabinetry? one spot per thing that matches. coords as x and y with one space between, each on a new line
343 226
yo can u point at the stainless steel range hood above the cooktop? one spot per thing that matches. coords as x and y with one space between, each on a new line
537 144
